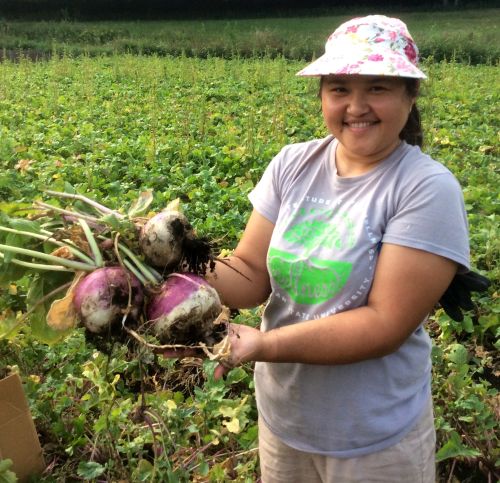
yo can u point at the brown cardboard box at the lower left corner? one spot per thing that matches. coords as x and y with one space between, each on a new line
18 438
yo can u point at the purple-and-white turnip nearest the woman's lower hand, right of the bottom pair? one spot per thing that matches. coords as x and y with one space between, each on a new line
184 310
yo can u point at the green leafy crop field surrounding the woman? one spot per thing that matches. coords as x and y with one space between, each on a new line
203 130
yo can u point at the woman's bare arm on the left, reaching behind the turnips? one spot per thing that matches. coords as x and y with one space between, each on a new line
249 259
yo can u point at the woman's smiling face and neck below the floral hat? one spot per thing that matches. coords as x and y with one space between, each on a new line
366 115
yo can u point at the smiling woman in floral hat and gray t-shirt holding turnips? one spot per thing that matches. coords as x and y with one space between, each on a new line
352 241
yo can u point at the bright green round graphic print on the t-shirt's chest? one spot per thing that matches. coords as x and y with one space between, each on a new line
310 280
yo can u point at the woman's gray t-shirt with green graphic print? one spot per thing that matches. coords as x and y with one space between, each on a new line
322 257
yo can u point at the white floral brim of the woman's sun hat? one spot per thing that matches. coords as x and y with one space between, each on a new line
389 64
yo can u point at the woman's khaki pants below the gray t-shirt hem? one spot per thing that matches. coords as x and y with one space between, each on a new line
411 460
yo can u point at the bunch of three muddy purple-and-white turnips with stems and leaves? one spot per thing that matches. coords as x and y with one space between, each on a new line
142 274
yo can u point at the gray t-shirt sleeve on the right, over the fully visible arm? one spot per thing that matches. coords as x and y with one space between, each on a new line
431 216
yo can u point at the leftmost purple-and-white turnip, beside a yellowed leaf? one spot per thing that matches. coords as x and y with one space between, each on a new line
103 297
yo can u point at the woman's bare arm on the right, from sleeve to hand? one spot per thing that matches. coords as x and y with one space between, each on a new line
407 285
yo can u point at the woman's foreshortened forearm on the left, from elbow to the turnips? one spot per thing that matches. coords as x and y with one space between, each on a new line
239 284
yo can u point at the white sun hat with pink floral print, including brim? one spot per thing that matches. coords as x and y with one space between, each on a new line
372 45
